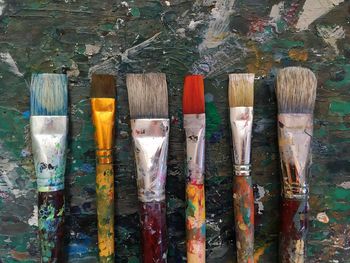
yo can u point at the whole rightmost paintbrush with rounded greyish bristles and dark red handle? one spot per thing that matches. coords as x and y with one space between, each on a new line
296 95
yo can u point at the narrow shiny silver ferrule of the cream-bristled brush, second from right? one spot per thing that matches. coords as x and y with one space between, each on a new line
241 119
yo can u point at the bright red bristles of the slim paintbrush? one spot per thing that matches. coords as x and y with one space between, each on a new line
193 97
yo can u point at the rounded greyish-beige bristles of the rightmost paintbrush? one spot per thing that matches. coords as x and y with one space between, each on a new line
296 90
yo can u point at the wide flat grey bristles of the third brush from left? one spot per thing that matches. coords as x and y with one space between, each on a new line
148 95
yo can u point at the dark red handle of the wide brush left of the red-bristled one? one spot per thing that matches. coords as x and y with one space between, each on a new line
153 232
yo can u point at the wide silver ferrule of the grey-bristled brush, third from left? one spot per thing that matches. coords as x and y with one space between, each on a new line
151 139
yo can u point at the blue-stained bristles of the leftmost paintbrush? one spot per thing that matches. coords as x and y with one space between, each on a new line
48 94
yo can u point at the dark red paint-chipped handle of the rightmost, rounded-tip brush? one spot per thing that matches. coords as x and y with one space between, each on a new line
294 226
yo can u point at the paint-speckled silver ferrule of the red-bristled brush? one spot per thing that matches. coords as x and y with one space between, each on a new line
194 125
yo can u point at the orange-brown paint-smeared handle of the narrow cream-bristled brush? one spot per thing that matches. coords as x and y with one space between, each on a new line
243 201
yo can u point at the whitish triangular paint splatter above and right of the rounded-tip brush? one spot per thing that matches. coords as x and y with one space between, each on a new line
331 34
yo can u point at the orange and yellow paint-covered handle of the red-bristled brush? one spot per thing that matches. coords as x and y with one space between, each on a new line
195 223
